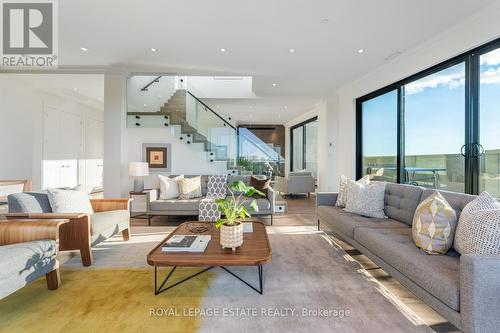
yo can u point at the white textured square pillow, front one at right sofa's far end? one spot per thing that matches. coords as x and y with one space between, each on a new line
366 200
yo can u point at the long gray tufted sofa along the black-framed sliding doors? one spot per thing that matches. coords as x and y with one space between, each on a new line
463 289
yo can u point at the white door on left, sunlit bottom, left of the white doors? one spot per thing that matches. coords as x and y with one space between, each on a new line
62 147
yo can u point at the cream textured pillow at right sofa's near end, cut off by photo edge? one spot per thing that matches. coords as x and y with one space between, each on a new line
478 229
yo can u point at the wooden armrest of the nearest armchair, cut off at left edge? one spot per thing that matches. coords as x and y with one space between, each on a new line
20 231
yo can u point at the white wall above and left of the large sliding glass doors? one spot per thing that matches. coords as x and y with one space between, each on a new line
473 32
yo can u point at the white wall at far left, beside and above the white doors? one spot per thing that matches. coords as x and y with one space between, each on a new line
21 127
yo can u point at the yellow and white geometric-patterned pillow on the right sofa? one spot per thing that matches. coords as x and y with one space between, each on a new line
434 225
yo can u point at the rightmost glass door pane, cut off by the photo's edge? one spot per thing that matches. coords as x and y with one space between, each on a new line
488 149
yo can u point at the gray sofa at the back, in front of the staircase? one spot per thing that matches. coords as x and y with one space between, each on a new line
176 207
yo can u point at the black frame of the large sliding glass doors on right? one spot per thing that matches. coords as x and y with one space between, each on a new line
472 67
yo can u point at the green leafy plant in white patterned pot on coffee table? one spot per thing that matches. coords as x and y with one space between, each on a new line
231 228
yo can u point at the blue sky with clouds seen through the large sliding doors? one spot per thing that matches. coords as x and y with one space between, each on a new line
435 113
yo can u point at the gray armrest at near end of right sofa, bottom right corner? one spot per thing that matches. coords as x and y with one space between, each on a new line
480 292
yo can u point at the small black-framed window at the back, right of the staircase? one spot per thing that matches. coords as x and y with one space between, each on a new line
303 148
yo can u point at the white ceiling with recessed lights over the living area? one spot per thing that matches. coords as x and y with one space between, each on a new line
257 35
